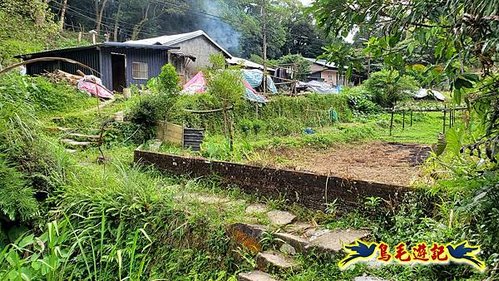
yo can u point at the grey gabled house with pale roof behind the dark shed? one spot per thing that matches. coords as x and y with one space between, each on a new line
193 53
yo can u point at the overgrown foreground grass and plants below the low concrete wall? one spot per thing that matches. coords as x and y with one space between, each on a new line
115 220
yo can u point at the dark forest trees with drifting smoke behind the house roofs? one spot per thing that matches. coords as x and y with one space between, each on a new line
236 25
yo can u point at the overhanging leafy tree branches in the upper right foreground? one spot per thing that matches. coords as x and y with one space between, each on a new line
456 39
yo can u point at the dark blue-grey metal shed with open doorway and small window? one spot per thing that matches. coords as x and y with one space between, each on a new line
119 64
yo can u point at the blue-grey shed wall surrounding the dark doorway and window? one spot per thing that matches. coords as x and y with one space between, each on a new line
155 59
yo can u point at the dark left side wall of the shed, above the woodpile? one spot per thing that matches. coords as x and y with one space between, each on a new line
87 57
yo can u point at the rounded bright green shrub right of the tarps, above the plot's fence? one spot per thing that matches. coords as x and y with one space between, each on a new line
388 87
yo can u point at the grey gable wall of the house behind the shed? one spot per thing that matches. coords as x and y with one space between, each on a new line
201 48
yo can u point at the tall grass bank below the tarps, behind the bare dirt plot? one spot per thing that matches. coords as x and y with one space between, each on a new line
287 114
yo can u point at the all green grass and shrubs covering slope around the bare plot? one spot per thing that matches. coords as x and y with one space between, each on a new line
96 215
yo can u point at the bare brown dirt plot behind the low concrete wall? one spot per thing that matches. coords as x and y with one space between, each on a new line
390 163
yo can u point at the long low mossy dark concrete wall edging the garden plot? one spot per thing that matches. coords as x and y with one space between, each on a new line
307 189
